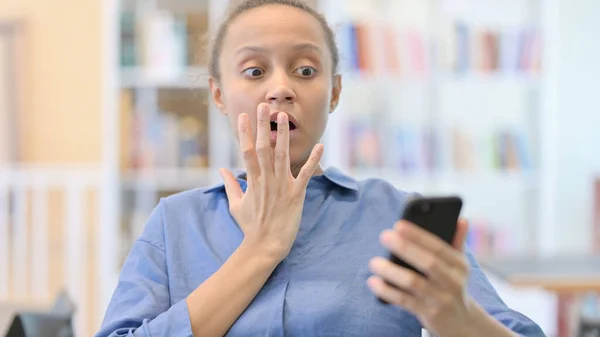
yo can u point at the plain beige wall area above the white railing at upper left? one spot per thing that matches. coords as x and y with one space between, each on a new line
60 122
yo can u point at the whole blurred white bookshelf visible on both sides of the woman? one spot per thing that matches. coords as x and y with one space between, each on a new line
440 96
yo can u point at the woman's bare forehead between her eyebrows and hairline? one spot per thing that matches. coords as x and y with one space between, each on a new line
274 26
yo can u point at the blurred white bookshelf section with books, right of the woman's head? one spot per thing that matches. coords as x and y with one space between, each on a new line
443 97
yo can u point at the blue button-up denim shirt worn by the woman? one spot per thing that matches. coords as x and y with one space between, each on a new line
318 290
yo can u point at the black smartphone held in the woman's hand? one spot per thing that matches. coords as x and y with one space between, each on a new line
438 215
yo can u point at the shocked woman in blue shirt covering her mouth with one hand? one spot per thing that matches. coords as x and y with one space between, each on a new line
287 248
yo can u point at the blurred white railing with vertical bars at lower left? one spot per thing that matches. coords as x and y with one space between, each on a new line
28 227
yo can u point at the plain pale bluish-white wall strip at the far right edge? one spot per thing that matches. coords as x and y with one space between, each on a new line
578 141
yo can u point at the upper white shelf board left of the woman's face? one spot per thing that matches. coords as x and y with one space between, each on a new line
187 78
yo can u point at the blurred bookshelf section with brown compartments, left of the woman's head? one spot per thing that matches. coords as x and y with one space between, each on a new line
164 114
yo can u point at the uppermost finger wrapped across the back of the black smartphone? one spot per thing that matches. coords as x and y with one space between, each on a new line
429 241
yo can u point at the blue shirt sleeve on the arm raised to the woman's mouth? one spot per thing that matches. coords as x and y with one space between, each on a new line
141 305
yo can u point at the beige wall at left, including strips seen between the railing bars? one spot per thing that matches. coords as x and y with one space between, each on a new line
60 121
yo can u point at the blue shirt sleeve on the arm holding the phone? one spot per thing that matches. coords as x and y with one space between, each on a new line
484 293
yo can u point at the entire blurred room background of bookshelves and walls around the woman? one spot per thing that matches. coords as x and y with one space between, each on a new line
104 109
